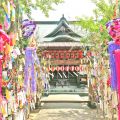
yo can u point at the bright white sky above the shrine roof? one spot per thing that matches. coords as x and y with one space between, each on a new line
70 9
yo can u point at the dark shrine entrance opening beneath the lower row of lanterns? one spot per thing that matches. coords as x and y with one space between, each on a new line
67 78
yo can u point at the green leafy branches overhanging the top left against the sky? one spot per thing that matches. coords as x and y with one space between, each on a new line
25 6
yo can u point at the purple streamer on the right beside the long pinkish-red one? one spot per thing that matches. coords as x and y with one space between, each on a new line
111 48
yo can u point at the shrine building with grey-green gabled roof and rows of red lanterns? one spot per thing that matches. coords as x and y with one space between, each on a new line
66 55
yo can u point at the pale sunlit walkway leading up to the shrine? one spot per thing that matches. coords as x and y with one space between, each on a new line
66 111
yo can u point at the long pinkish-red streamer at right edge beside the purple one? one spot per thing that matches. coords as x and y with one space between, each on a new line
117 60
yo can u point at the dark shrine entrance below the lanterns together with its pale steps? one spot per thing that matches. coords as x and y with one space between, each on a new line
67 82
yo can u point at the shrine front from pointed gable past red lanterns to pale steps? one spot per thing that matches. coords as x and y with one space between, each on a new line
67 60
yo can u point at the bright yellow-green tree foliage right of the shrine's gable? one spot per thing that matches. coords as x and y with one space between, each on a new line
96 26
